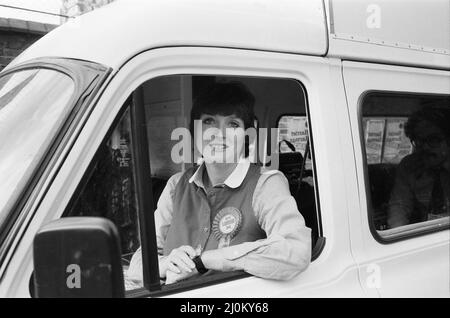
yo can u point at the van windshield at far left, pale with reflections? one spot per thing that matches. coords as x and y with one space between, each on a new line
33 104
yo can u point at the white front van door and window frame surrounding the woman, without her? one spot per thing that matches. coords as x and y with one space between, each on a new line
287 87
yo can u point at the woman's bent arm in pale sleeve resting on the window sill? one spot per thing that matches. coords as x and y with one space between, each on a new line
287 249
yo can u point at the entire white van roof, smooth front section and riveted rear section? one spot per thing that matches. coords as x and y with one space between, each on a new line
416 33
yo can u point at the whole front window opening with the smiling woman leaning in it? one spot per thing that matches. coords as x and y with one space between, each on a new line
198 219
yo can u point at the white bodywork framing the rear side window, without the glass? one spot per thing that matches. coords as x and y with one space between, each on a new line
415 266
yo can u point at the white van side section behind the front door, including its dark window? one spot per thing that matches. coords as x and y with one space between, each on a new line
409 258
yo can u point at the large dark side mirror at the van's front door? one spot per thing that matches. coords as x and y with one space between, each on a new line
78 257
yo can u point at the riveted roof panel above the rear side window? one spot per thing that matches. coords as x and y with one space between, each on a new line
393 32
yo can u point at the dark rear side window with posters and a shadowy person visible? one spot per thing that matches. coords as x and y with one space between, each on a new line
407 150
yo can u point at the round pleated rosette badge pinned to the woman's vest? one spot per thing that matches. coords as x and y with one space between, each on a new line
226 225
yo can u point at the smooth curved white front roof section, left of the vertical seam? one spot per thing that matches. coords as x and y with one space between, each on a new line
138 25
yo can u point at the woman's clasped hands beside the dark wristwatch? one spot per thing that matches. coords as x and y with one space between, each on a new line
179 260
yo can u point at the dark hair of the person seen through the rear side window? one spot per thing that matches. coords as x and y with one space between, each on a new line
439 117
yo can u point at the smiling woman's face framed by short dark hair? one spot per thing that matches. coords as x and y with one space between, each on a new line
221 138
